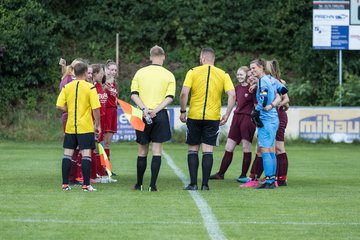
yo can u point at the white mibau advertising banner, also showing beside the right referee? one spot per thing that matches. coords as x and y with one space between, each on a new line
311 123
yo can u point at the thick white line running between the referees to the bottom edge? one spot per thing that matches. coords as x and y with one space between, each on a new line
210 221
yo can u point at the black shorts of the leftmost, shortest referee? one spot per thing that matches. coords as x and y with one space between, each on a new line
84 141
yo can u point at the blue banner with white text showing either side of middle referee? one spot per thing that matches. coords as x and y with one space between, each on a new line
126 133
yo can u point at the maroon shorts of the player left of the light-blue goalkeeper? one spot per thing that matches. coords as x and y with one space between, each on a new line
241 128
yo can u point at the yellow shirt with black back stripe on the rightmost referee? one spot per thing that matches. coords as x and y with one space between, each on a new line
207 84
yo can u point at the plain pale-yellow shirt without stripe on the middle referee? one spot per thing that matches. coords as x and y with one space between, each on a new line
153 84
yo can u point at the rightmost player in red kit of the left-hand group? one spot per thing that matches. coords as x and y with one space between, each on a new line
111 88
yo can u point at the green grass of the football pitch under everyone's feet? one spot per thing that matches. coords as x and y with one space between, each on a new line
321 201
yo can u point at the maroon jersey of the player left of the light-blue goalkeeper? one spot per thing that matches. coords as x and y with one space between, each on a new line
245 100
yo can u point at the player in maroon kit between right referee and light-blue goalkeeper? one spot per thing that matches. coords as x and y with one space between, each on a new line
241 129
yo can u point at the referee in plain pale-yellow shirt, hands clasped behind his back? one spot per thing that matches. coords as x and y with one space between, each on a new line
152 89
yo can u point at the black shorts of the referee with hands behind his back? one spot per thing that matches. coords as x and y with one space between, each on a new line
158 131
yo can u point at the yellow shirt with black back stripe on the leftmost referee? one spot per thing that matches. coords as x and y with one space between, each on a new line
81 98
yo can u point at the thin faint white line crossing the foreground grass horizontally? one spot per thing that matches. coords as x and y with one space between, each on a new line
95 222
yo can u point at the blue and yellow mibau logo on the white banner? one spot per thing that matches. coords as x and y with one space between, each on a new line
321 126
